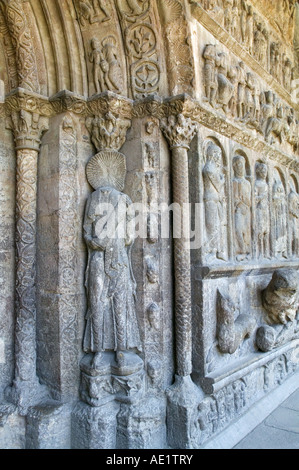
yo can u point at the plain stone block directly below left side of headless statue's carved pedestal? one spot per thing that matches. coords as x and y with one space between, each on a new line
94 427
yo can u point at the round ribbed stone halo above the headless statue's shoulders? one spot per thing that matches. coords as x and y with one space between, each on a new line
107 168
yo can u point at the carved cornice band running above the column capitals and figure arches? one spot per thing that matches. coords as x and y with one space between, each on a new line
153 106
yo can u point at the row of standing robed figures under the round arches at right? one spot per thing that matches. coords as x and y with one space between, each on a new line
265 212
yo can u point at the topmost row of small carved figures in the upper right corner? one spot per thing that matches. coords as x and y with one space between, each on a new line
249 29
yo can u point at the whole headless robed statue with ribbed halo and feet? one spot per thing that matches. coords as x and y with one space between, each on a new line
111 321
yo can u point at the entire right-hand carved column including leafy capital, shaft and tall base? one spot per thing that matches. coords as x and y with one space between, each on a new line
183 395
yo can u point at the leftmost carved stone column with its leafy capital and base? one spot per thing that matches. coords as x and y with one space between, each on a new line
27 128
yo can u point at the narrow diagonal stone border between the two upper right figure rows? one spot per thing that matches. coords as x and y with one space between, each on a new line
227 40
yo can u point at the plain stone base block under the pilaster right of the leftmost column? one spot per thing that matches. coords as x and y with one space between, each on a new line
48 427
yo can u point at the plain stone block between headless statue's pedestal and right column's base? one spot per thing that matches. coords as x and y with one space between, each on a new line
142 426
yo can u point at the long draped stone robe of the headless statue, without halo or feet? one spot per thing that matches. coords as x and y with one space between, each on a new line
111 317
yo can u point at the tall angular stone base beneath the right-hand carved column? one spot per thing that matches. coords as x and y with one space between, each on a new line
182 402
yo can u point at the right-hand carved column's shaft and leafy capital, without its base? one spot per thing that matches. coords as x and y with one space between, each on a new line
179 132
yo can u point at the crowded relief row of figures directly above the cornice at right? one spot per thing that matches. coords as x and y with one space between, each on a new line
235 90
